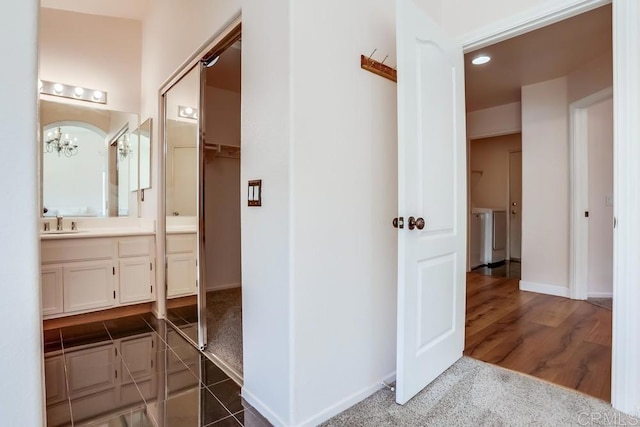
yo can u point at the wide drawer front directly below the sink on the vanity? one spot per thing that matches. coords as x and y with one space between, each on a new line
76 250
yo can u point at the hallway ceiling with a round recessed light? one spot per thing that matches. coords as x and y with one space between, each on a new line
550 52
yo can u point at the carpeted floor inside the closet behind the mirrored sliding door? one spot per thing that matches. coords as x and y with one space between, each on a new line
224 326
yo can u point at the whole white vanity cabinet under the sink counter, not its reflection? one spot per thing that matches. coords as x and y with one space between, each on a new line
80 275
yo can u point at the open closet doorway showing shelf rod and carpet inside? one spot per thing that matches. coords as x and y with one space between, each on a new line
222 196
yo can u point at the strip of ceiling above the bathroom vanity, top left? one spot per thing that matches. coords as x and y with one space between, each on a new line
129 9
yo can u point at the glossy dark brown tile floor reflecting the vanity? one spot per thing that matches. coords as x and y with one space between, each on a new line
137 371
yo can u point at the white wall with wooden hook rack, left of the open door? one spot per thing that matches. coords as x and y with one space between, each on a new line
345 196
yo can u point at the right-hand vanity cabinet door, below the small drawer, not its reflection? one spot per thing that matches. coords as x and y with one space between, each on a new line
136 281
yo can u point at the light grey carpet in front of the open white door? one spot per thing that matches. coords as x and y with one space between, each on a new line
474 393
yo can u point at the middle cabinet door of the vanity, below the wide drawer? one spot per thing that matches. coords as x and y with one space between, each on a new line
88 285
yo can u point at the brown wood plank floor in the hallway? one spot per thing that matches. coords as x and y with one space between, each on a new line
560 340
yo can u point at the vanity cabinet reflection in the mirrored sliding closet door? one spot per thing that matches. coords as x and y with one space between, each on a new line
181 265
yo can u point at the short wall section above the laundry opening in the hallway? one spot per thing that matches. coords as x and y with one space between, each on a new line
500 120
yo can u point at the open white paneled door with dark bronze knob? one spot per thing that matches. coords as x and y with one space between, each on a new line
431 200
